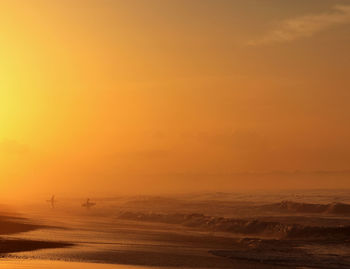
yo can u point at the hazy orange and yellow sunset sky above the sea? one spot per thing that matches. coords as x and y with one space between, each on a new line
161 96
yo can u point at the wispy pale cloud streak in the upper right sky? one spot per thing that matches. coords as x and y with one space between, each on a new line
305 26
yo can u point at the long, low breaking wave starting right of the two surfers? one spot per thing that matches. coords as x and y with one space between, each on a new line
251 227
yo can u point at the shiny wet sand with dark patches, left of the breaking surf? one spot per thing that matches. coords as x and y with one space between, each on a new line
122 244
